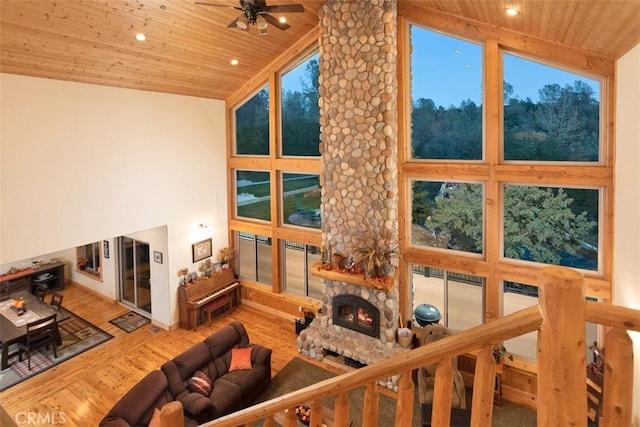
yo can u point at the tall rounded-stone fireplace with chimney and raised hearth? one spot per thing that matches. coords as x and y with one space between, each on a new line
359 177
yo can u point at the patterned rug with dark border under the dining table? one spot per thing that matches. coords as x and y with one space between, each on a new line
77 335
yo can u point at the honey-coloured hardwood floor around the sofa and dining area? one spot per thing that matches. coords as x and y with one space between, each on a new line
80 391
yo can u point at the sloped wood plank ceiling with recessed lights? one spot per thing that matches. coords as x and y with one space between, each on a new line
189 47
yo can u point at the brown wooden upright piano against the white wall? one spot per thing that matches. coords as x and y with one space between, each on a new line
192 297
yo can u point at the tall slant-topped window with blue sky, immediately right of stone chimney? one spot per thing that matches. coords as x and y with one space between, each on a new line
446 97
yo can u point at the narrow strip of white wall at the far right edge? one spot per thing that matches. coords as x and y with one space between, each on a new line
627 206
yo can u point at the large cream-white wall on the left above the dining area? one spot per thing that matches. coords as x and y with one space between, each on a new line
82 163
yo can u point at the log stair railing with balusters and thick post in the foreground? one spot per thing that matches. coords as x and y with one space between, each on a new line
562 392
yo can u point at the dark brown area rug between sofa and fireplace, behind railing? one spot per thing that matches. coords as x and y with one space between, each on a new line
299 373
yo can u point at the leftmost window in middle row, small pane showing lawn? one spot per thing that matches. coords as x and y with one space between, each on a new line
253 195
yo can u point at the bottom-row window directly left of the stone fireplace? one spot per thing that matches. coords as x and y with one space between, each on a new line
298 259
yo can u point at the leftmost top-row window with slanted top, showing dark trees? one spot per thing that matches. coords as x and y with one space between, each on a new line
252 125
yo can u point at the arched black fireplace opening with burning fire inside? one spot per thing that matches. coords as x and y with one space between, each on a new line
357 314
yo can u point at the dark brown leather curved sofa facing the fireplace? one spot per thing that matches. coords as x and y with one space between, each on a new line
230 391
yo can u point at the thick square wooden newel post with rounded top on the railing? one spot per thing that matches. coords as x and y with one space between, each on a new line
562 391
